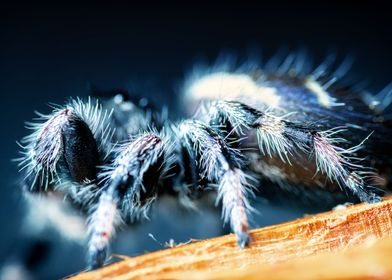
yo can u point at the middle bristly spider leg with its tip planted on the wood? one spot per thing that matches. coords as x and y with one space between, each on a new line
221 164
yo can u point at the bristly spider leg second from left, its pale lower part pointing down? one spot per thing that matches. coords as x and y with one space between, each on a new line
131 187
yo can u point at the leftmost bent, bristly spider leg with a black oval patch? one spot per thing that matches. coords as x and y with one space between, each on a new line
66 145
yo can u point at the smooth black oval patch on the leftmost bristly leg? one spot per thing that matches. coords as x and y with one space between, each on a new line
80 150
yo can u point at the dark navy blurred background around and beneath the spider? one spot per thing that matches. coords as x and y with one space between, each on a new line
51 51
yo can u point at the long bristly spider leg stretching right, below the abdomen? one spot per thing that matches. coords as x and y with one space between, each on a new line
276 136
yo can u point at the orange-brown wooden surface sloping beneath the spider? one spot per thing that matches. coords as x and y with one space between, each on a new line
275 251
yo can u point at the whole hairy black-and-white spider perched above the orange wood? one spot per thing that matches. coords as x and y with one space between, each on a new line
112 156
